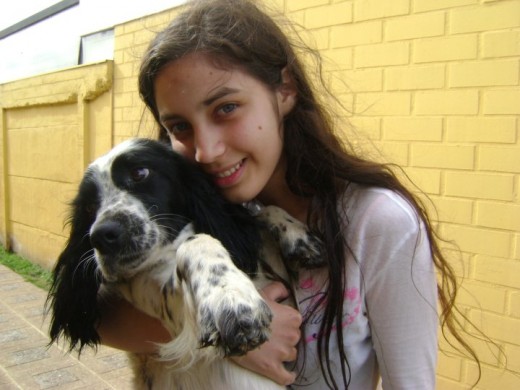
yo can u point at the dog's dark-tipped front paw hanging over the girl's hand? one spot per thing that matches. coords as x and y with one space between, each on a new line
234 321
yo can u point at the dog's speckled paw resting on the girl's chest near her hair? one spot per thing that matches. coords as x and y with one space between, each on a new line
299 247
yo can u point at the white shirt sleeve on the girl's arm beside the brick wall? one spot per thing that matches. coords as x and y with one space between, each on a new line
401 294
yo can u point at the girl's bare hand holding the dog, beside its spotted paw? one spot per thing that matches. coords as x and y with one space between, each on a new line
269 358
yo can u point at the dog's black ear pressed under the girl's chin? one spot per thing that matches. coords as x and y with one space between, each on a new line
231 224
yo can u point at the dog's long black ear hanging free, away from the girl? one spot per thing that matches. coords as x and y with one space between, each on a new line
72 298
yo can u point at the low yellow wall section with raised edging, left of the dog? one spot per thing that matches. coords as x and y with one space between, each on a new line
51 127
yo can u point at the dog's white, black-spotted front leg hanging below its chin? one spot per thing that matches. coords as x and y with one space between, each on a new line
230 312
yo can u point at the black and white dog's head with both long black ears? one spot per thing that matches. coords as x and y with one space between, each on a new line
131 201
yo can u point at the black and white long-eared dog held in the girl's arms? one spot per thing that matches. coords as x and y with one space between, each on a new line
150 226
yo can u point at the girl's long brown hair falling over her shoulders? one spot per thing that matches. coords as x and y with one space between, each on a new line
320 165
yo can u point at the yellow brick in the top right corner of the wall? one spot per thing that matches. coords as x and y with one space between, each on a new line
485 18
